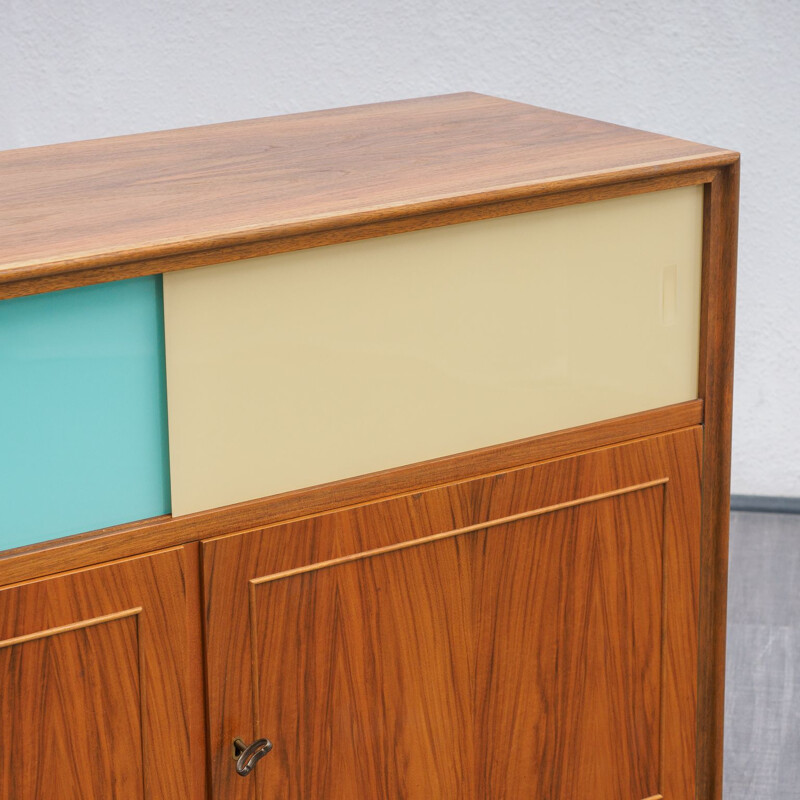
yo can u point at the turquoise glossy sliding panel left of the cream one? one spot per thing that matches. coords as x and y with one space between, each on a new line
83 413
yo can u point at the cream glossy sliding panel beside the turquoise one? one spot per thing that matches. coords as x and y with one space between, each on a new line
301 368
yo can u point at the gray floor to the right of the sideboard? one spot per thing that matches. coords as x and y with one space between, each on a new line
762 691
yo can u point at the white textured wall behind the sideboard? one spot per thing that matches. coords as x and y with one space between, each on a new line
724 73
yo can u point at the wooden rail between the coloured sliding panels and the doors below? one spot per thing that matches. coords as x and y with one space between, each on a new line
94 547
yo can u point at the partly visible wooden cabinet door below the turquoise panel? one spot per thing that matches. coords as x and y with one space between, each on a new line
93 693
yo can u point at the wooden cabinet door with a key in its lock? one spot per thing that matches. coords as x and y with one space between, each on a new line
530 634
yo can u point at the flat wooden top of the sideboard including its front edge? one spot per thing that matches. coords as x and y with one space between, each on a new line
99 210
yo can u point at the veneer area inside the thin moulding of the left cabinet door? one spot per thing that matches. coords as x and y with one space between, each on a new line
87 674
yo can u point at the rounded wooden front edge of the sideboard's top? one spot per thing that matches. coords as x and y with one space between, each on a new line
151 259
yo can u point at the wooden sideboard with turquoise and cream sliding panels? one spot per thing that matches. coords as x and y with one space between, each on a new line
380 452
